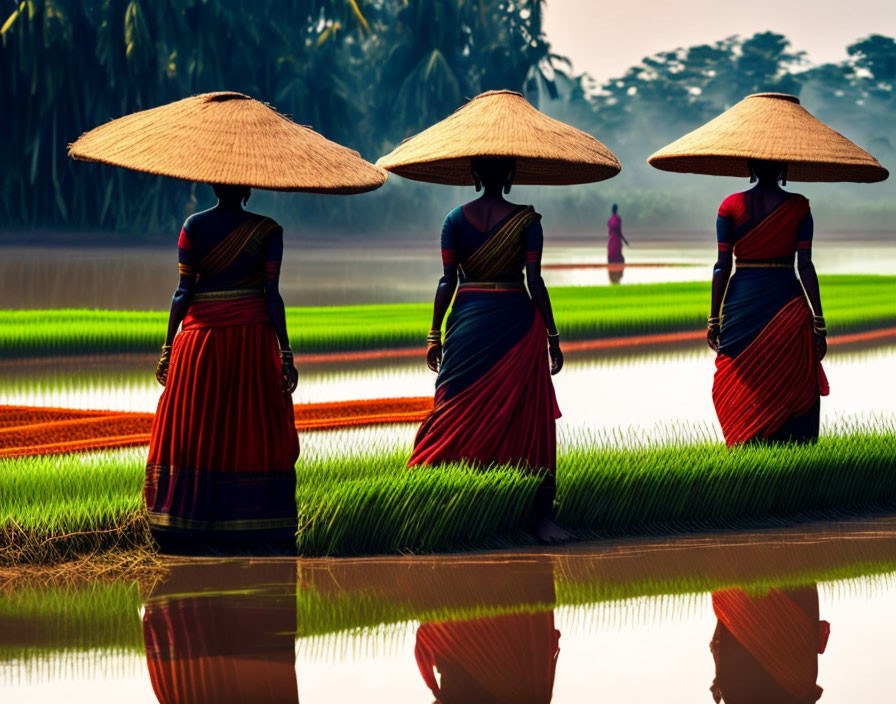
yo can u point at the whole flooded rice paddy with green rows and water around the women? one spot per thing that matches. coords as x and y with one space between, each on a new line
394 561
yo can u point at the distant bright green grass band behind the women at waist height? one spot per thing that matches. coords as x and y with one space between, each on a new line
852 302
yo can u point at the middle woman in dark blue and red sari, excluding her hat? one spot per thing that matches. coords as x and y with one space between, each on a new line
494 401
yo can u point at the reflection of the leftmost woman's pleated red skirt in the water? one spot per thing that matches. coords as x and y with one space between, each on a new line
223 634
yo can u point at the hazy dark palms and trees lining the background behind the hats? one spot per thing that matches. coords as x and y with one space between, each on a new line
368 73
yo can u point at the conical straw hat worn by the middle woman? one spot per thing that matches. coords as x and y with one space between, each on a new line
502 124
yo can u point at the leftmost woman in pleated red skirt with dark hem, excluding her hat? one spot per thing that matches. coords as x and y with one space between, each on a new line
220 474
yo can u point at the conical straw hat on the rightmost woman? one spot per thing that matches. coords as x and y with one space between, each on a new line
772 127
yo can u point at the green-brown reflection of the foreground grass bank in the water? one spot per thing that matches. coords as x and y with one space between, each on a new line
45 623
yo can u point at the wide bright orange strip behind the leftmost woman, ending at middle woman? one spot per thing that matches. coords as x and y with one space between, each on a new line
26 430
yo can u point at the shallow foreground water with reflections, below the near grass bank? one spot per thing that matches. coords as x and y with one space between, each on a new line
634 620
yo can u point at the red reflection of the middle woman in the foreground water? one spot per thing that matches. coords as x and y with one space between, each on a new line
508 659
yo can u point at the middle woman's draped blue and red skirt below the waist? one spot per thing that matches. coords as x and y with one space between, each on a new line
495 402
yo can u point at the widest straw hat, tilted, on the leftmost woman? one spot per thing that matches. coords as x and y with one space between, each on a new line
232 139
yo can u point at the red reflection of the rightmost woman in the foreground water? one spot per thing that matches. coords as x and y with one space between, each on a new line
766 648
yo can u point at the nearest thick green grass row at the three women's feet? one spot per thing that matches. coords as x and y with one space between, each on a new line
57 507
